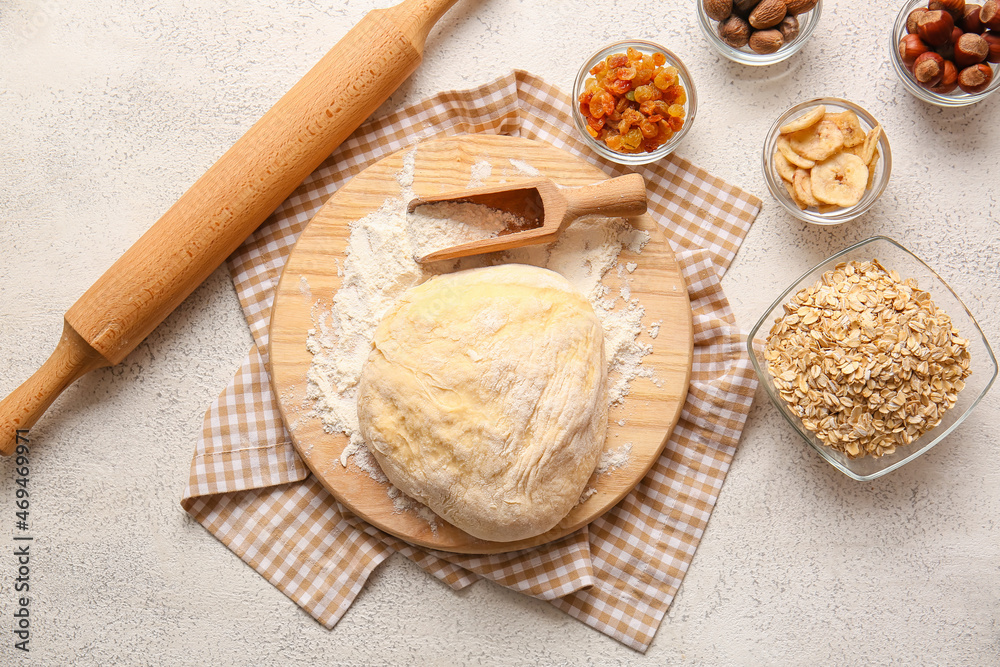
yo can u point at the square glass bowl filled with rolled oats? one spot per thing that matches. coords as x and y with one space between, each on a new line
872 358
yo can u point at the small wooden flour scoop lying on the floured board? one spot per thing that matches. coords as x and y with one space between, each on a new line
545 206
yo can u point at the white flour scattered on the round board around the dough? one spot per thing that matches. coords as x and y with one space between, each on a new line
380 264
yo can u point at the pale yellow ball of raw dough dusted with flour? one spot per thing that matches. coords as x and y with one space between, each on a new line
485 398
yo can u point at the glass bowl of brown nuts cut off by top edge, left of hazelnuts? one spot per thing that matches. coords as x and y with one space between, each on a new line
758 32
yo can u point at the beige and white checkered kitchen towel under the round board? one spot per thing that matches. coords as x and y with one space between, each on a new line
249 488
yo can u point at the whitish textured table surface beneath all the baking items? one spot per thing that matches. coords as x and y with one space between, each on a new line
110 110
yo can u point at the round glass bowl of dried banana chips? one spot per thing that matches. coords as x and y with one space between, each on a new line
826 161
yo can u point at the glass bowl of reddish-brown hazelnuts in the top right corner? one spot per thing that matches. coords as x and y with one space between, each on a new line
946 52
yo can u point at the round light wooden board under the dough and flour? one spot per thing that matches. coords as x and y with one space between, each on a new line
649 411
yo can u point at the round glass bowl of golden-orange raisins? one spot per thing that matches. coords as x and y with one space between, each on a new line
634 101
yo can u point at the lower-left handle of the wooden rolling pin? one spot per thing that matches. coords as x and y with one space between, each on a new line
72 358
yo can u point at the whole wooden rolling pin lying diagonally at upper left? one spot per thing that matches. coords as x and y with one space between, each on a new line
228 203
